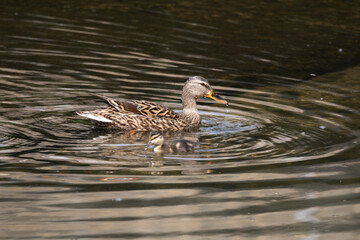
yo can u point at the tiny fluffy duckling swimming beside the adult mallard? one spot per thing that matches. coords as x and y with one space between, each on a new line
175 146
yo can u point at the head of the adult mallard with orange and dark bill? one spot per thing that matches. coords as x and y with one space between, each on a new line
199 87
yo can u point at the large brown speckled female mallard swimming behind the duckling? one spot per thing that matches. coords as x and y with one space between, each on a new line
146 116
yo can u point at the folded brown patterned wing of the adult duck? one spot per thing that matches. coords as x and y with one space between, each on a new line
144 108
